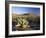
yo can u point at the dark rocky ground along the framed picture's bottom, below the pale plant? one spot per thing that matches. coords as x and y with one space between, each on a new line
32 27
